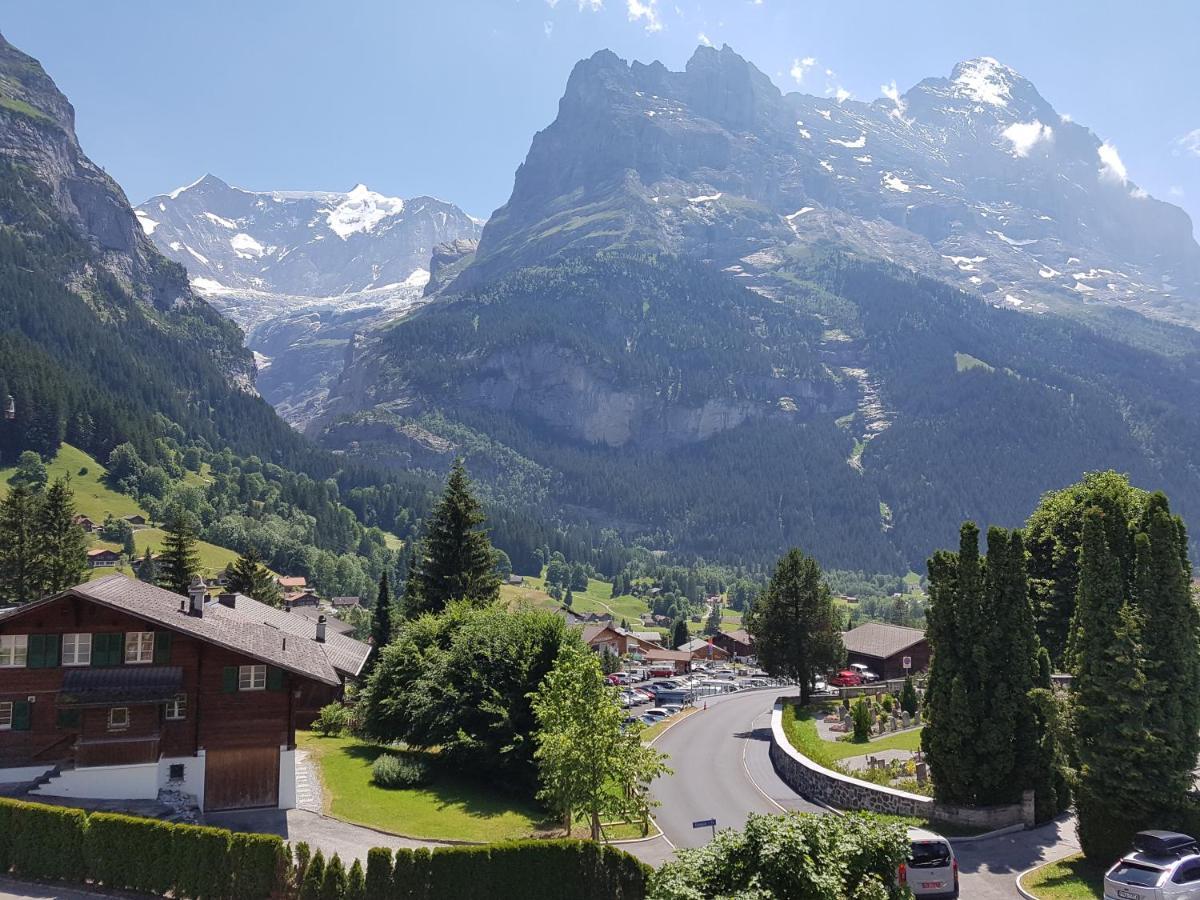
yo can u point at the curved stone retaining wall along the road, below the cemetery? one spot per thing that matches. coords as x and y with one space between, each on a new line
818 783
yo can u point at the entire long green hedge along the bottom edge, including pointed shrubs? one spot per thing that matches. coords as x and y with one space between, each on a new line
201 863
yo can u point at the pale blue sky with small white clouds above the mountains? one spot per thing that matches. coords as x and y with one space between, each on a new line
442 97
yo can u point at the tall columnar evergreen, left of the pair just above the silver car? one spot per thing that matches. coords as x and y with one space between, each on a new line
1111 704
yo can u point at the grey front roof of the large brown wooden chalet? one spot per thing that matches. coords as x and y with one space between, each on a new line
219 626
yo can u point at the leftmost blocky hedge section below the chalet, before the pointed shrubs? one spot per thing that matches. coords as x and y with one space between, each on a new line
133 854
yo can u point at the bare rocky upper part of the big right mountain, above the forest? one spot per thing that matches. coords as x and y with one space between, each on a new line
973 179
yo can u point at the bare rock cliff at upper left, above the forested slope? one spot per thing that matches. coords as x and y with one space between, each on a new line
61 188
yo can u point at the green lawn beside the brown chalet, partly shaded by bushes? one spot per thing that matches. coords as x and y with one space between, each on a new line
449 809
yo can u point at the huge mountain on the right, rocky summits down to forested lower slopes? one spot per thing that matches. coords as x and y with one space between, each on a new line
729 321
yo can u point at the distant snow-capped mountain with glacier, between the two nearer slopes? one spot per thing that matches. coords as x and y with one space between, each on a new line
303 272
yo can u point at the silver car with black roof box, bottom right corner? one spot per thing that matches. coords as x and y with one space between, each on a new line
1163 866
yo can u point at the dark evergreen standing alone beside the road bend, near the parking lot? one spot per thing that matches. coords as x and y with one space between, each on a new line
795 625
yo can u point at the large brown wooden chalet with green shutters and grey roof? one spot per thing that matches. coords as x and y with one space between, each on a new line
117 689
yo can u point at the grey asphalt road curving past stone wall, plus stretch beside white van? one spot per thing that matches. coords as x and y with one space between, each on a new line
723 771
